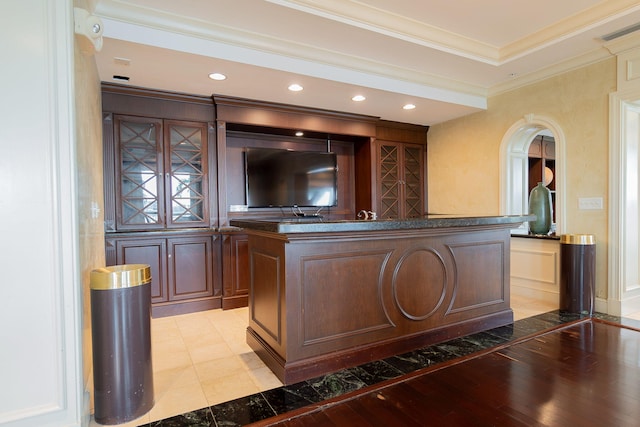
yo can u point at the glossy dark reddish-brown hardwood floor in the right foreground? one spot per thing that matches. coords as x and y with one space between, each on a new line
584 373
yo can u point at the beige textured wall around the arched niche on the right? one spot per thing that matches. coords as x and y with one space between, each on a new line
464 154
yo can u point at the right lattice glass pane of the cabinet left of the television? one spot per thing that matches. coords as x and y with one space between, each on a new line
187 174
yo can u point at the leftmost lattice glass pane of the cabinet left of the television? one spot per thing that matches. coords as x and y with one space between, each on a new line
138 173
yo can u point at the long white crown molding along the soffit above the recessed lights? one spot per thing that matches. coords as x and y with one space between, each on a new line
140 19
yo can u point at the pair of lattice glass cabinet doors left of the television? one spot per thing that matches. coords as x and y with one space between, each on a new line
161 170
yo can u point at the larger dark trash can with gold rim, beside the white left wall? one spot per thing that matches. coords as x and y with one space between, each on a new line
121 337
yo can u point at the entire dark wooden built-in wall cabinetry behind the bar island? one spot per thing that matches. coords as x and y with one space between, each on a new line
173 164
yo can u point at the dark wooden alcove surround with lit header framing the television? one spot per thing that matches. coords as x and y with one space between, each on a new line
245 123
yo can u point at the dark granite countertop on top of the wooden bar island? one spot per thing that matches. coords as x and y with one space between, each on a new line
319 225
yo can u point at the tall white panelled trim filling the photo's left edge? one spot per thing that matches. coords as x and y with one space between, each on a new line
45 302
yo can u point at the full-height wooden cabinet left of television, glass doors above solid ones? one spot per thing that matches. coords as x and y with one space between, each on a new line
161 194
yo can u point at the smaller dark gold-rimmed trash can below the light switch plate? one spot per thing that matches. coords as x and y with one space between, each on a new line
577 273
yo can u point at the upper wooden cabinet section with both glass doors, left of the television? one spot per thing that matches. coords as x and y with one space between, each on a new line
159 167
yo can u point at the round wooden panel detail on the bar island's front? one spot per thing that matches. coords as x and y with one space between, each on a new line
419 283
